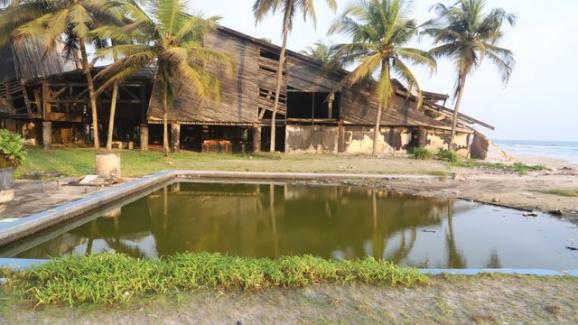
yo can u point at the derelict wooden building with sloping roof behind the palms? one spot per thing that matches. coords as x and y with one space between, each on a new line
44 98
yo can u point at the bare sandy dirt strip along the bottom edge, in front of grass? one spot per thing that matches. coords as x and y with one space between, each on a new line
454 300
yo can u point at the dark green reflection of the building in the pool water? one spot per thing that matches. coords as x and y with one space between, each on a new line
261 220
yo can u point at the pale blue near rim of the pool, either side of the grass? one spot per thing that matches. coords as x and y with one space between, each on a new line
17 264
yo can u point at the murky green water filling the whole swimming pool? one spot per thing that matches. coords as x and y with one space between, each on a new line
329 221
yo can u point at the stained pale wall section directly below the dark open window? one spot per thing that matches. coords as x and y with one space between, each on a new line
311 139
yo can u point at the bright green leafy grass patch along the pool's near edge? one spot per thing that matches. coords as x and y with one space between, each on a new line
110 279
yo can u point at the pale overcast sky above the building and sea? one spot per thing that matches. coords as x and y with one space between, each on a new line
537 104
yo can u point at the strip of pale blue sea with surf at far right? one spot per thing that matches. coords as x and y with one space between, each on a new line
564 150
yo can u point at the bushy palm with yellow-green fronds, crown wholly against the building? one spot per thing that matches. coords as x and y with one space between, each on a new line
171 40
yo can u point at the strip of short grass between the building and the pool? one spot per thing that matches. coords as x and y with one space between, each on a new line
78 162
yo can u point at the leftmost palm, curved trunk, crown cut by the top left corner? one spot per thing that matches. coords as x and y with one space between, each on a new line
54 20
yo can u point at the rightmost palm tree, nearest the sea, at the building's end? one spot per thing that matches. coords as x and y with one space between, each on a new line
467 35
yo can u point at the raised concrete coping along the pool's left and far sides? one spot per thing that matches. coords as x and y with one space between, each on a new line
16 229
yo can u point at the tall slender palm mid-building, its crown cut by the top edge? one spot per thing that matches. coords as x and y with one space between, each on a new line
289 8
